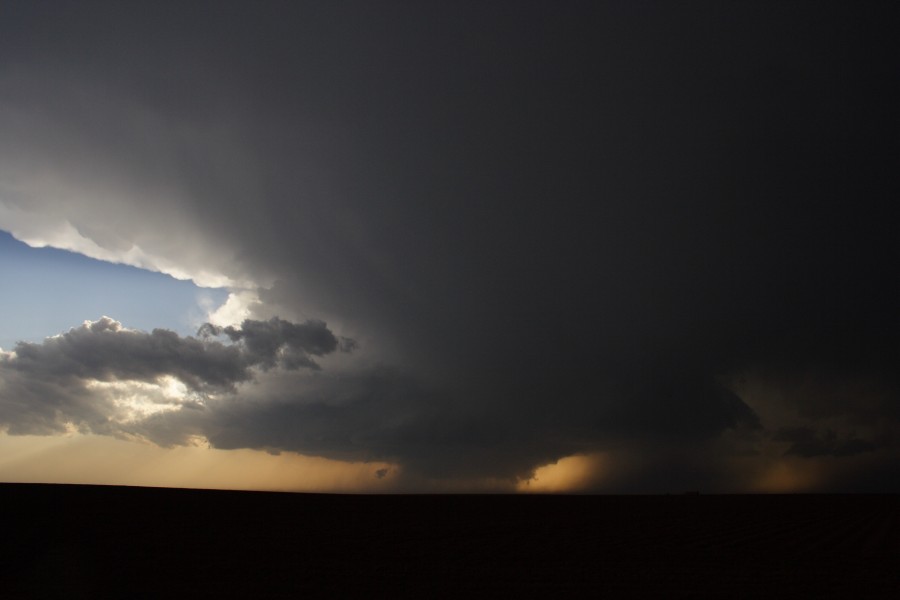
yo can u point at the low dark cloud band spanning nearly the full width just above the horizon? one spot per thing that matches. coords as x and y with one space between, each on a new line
256 386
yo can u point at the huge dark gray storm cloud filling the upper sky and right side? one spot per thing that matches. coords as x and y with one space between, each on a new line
568 223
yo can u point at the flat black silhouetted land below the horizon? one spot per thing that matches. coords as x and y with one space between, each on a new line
91 541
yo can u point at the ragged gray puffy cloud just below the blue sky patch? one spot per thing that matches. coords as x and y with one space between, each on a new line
46 386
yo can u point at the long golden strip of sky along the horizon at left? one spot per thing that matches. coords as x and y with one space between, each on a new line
91 459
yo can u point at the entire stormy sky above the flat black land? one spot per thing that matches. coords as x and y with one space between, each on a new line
607 247
